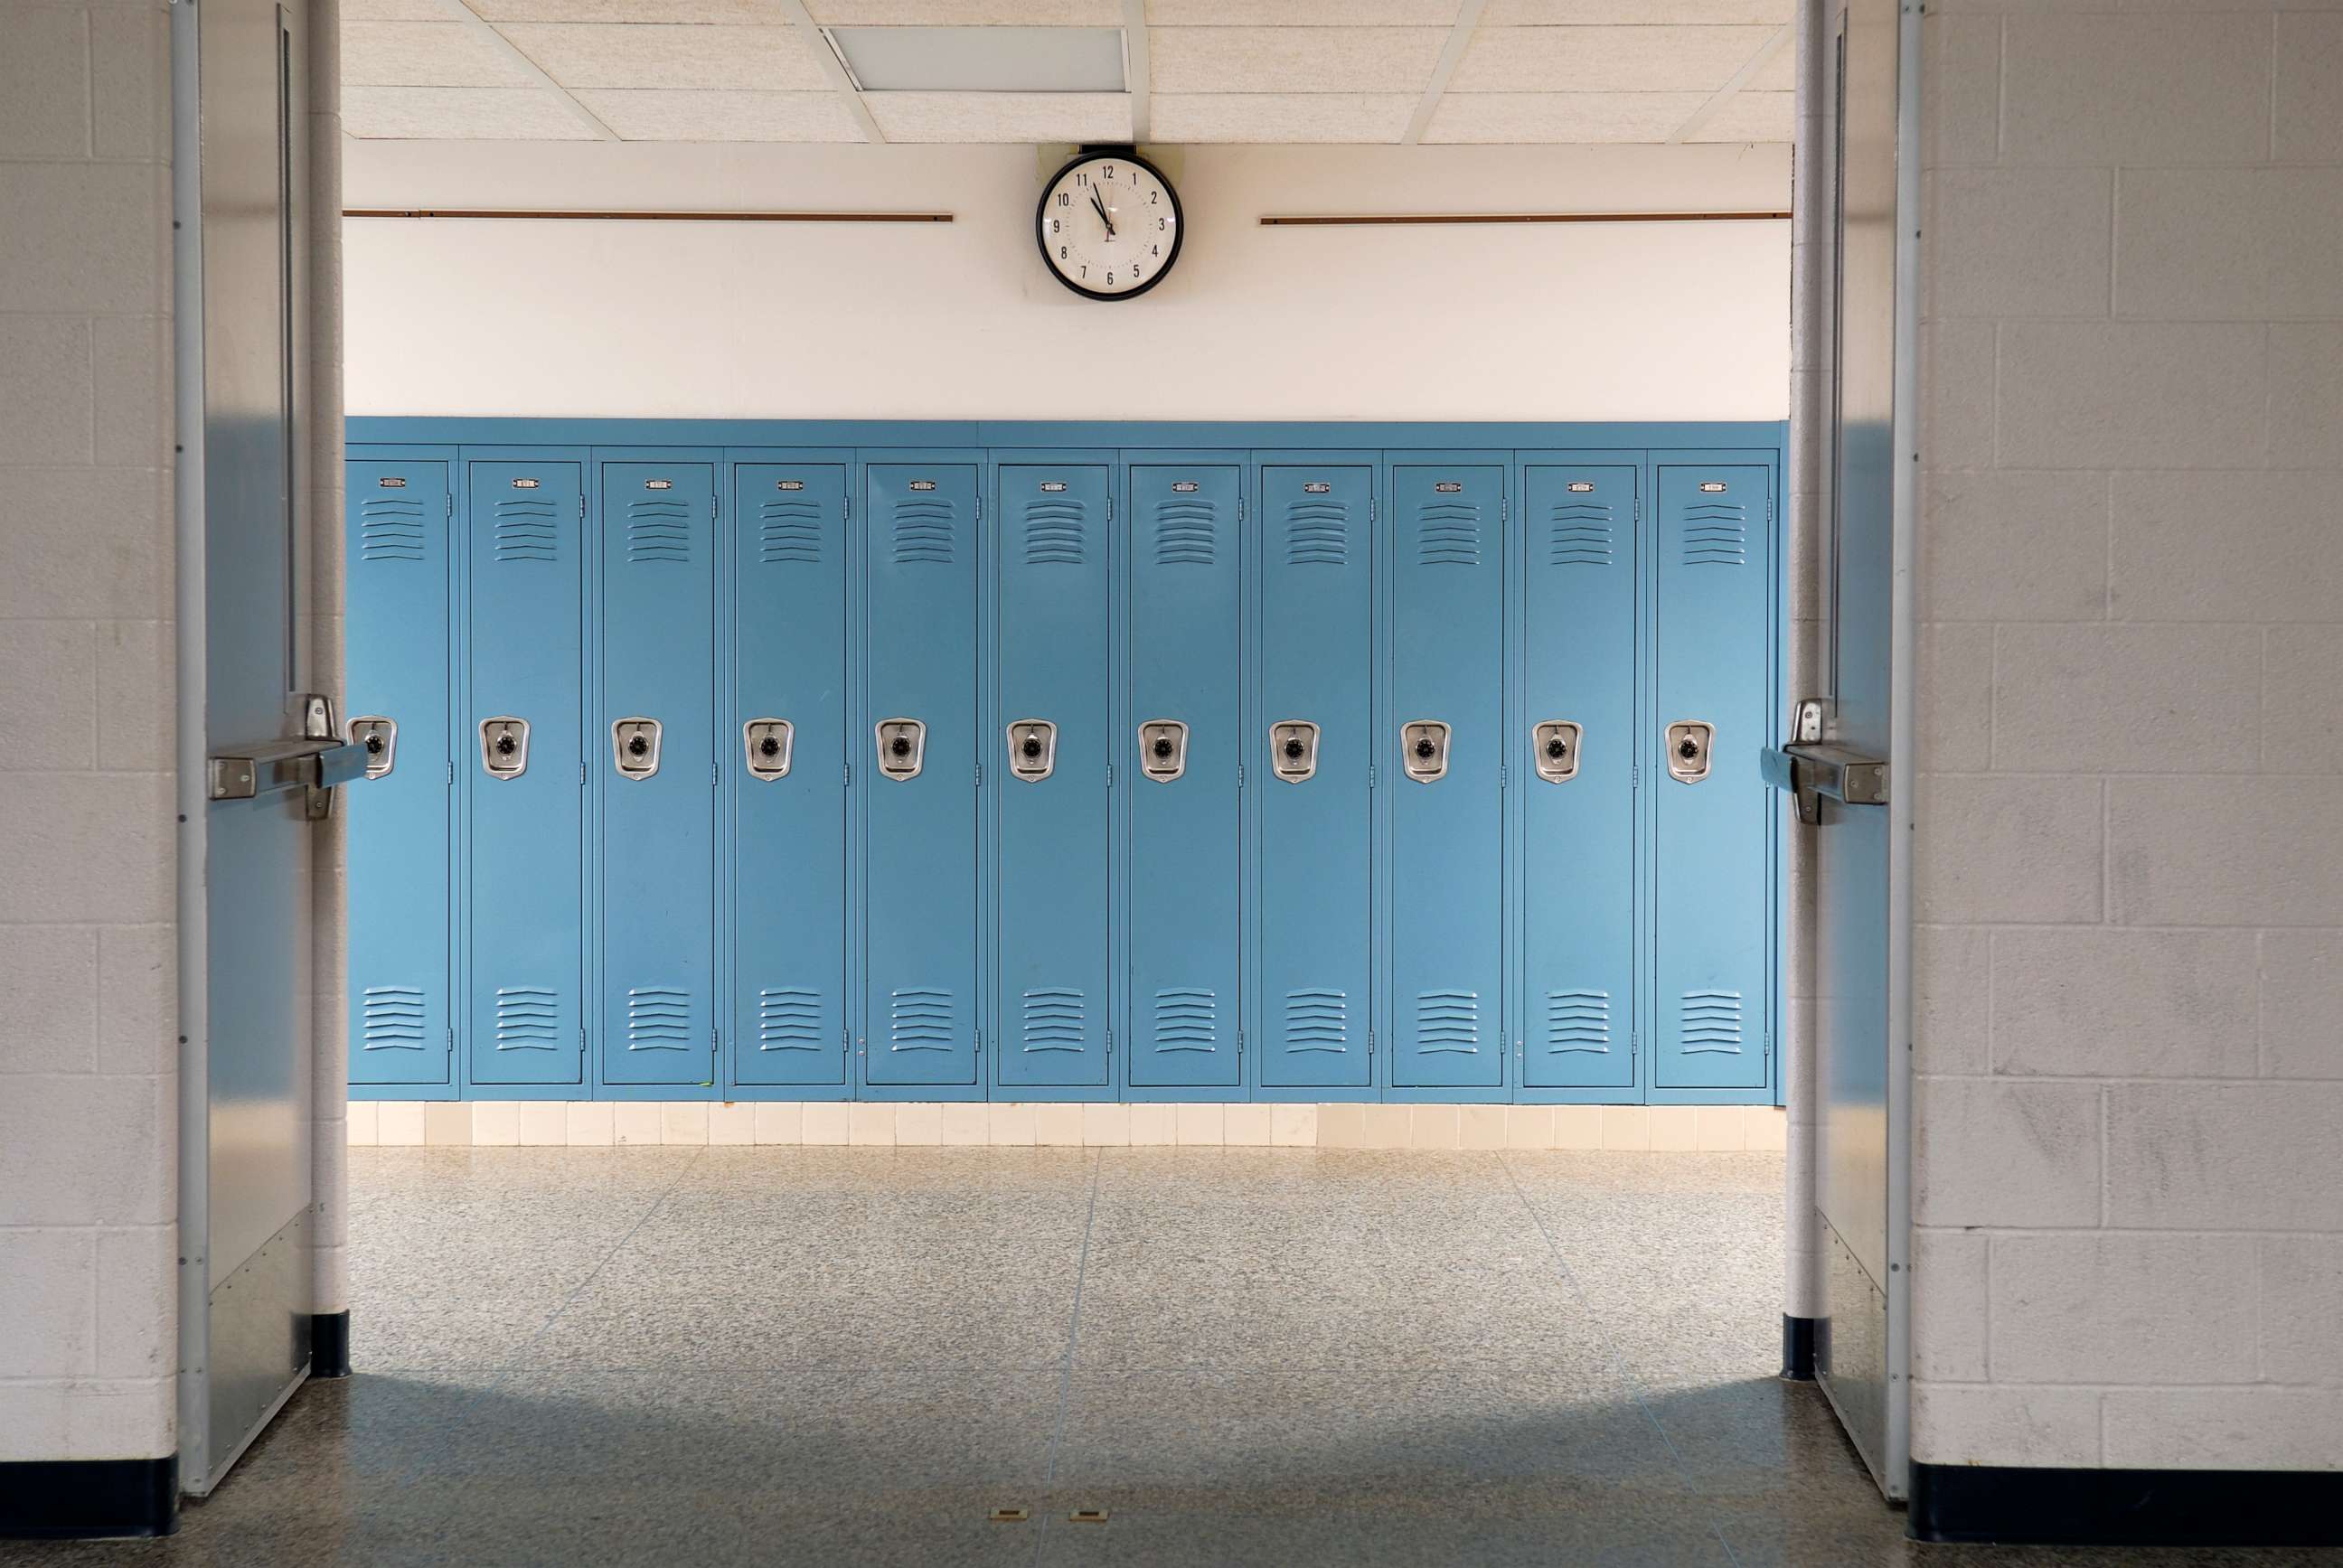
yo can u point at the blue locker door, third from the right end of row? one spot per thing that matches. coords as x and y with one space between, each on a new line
1449 833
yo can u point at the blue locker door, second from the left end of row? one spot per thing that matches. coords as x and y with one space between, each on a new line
526 875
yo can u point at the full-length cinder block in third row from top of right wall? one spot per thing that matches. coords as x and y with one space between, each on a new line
2129 395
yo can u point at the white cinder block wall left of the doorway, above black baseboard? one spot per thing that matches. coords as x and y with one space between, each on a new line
88 1030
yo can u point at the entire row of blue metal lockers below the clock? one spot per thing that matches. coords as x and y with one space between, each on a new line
1063 763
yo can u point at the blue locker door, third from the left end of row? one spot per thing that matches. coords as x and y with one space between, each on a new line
657 772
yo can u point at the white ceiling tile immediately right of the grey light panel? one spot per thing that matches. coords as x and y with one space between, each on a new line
1292 60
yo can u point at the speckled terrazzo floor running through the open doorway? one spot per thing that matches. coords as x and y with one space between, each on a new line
1241 1356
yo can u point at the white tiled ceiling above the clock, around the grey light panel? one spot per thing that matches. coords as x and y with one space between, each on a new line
1217 71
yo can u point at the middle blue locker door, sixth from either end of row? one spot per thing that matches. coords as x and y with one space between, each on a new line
1053 784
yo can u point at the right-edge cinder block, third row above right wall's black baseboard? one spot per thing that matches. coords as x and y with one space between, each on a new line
2232 1157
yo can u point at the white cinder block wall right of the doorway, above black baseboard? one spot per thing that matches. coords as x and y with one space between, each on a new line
2131 803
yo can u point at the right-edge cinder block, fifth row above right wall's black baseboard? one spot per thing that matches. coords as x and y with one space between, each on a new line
2227 852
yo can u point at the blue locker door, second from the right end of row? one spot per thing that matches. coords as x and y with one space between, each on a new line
1576 761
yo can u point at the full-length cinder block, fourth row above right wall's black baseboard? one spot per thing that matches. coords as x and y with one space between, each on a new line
2124 1004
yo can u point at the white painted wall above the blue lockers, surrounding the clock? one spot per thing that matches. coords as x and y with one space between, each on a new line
1555 322
